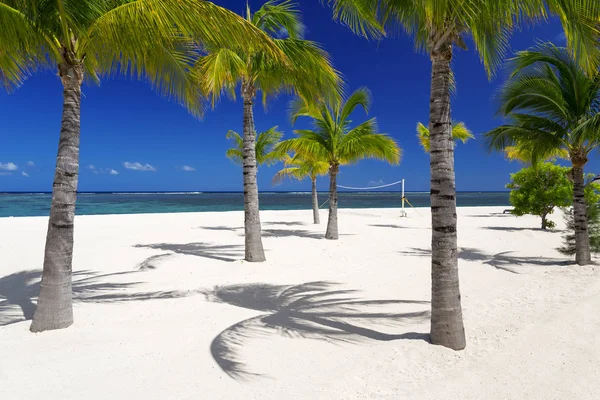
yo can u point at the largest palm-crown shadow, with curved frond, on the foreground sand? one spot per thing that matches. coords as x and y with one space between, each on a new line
313 310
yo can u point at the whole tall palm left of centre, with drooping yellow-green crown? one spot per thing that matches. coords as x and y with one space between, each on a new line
306 71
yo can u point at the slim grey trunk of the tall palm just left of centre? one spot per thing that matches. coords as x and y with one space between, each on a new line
253 241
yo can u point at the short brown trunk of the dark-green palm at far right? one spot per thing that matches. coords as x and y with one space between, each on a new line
582 239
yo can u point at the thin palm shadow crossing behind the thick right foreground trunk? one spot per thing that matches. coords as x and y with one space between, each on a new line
502 261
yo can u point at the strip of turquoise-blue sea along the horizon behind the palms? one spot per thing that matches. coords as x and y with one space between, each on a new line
38 204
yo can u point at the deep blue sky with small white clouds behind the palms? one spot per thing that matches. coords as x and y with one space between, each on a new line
134 140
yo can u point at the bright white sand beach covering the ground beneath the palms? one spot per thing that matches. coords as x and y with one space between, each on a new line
160 333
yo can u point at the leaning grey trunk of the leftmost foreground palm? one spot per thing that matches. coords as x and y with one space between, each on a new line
55 304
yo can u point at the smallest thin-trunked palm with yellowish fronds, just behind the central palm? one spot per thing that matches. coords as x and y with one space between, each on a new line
301 167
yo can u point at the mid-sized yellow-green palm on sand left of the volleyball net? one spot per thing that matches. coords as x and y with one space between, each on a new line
335 141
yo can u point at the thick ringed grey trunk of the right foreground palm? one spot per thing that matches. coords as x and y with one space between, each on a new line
446 313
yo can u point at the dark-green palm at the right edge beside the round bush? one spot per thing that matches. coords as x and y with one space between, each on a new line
553 106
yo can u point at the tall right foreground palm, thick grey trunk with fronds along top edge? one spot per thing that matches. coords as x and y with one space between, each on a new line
437 27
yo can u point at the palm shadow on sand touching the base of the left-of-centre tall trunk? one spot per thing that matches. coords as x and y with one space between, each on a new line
199 249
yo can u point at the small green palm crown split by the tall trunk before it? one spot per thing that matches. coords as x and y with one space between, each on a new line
265 142
